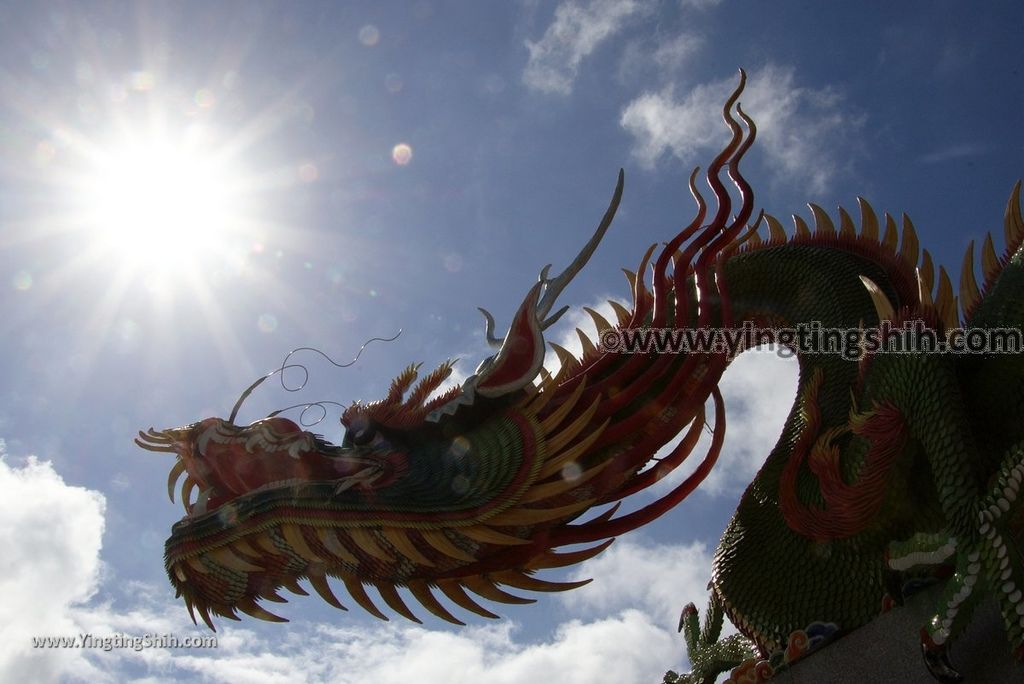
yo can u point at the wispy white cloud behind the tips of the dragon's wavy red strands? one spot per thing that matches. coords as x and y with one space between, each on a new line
797 126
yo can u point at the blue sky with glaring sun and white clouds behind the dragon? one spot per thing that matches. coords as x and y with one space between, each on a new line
191 190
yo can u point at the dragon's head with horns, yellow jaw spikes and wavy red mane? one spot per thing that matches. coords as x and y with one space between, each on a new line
475 489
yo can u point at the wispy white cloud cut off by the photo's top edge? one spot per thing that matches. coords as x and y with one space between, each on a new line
577 31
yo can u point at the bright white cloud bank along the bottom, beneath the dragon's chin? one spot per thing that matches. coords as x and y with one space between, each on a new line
52 534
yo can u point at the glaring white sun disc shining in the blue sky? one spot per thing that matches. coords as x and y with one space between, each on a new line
158 204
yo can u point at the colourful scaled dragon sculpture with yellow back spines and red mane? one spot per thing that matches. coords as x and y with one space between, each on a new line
887 464
